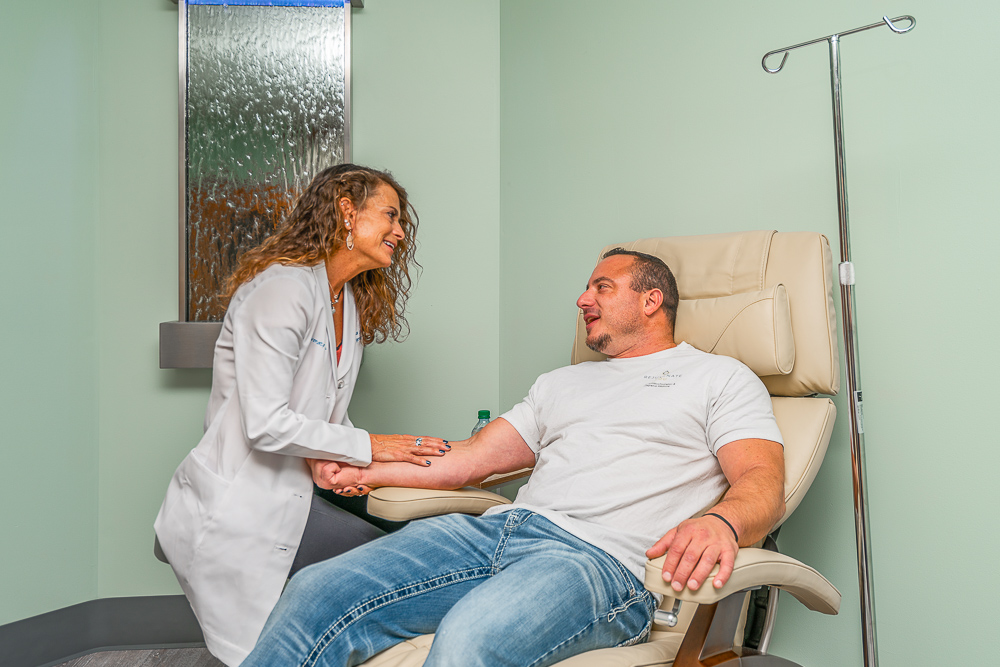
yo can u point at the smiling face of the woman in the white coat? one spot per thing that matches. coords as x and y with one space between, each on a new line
376 228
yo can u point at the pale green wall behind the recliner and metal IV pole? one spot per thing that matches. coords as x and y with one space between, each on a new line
654 118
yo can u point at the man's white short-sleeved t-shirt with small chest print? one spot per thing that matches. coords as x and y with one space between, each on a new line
626 449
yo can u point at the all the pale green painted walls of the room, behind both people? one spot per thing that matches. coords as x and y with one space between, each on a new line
530 134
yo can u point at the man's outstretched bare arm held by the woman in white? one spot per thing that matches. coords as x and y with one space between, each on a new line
497 448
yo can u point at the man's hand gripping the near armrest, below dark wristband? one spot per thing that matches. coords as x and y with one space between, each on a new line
693 548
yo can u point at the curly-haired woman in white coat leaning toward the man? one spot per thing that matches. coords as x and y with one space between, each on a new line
303 305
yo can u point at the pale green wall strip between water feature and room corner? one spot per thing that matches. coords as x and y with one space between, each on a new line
426 106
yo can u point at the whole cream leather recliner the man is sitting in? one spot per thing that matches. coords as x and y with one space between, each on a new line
765 298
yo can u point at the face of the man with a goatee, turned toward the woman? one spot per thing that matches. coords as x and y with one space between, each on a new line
612 310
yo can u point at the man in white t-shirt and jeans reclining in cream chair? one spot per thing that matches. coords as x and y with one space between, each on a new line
624 451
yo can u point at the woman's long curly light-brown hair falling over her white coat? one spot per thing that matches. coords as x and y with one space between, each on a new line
315 229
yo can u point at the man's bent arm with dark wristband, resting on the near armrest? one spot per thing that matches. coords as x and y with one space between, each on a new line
754 503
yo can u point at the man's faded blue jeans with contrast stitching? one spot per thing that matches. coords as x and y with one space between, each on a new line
506 589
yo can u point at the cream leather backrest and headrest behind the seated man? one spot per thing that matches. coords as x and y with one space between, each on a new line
765 298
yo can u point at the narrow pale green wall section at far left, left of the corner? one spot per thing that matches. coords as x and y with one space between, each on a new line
48 364
